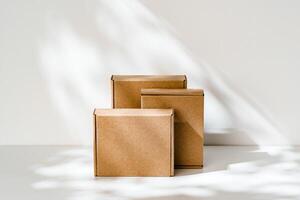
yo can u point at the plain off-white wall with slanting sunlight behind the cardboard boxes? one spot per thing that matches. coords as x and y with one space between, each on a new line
56 58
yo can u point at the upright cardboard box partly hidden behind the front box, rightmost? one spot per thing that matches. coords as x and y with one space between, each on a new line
188 134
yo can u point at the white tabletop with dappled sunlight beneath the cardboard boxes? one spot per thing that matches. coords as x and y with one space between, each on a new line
248 173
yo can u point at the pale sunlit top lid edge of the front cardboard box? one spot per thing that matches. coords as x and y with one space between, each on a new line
133 112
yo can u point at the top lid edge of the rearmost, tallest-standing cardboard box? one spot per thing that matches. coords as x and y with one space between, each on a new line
148 77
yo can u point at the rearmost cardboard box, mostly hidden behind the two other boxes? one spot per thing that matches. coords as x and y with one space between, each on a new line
126 89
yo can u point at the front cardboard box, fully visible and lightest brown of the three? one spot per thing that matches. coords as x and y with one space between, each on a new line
133 142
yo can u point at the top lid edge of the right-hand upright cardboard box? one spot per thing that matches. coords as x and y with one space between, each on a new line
173 92
